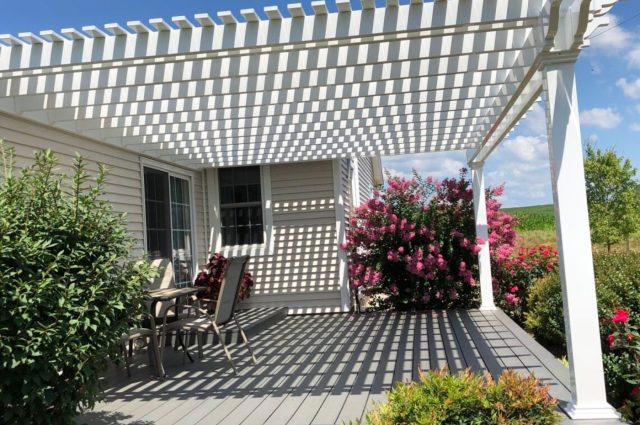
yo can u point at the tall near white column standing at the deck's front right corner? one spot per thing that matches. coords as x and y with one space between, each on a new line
588 396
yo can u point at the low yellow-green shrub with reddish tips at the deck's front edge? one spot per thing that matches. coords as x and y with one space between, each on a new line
467 398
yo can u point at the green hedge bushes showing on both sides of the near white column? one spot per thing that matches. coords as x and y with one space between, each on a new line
617 286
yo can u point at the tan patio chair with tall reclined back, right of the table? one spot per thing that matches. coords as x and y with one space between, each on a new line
202 322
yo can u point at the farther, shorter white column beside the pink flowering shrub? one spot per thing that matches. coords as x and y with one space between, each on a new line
482 231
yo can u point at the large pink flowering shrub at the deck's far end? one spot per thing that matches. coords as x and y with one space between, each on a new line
413 245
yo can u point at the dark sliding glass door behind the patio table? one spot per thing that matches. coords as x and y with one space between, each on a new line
168 219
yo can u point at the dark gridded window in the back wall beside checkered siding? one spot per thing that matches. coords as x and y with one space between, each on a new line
241 206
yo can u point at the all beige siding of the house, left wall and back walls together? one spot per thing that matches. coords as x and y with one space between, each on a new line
302 269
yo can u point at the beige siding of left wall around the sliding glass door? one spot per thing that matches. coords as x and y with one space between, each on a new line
124 182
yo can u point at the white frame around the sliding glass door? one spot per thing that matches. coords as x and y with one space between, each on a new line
182 174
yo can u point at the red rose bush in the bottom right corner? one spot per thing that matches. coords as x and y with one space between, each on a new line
623 341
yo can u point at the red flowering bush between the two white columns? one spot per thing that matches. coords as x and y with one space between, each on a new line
515 272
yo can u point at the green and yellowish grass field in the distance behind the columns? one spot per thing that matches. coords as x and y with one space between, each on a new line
537 227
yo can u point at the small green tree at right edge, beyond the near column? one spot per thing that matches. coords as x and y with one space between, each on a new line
612 195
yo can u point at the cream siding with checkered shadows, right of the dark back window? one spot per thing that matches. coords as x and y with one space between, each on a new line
302 271
